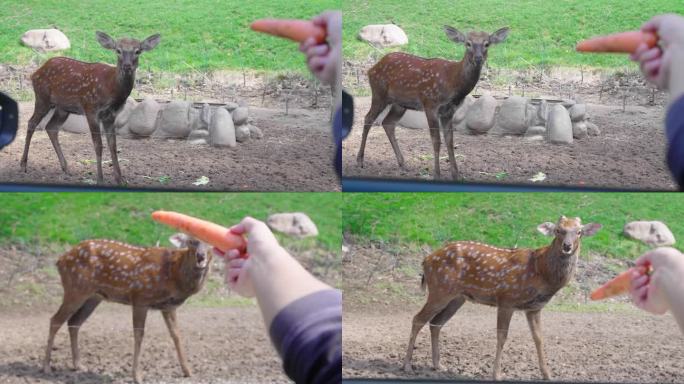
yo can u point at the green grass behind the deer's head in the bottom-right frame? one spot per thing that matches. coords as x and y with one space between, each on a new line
505 219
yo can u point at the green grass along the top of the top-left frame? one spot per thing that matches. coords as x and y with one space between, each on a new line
196 34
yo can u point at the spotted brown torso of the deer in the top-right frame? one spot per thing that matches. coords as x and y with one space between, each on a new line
408 80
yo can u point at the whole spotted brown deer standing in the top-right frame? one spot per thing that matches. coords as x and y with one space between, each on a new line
436 86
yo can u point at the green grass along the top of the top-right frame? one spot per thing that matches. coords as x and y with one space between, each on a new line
543 33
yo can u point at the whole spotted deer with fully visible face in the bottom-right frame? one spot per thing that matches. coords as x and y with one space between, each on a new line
510 279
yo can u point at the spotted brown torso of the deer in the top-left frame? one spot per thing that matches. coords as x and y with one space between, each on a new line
74 85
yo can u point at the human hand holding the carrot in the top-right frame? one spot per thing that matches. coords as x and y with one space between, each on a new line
656 62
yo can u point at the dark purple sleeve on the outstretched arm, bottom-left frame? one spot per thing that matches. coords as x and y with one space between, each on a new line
308 336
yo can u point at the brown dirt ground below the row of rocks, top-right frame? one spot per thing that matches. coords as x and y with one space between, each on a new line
629 153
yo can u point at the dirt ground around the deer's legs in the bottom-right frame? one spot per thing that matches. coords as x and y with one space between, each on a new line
610 342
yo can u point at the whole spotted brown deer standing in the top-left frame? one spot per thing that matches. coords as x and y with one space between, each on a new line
95 90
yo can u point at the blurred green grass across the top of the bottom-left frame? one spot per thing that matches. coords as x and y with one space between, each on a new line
67 218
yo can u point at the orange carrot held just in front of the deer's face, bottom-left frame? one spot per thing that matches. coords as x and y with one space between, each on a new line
211 233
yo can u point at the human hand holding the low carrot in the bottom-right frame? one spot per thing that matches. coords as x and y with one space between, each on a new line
649 292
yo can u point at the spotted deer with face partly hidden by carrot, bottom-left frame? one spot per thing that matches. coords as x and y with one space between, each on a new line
144 278
